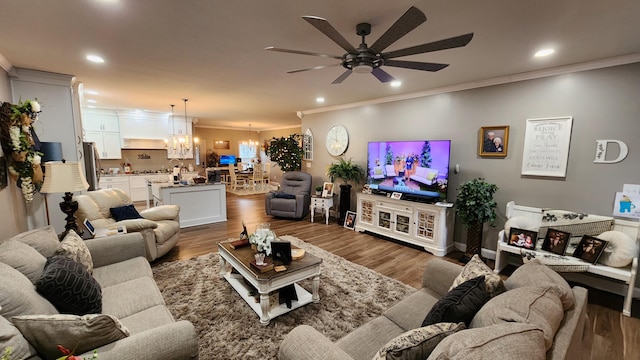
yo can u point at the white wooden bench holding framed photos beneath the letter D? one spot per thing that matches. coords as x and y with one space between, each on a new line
616 280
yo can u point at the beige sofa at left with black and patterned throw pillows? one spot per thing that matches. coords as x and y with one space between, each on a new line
140 325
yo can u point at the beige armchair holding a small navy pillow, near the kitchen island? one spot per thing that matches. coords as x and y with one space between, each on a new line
160 225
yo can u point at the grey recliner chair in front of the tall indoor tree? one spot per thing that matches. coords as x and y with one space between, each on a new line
294 197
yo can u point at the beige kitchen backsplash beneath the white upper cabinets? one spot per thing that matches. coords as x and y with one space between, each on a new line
141 160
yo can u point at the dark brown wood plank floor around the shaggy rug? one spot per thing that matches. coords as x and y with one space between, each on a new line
615 336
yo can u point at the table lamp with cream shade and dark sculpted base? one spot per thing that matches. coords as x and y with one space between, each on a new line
65 177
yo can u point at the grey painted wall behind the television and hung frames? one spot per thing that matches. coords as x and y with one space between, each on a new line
603 102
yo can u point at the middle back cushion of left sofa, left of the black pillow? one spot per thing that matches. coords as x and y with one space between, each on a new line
18 296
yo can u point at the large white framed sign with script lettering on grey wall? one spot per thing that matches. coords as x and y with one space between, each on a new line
546 146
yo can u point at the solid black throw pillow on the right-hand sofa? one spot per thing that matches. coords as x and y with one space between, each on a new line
460 304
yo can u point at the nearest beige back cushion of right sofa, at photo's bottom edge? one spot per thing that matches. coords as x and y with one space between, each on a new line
500 341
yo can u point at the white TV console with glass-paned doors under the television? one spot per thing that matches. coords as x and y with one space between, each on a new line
426 225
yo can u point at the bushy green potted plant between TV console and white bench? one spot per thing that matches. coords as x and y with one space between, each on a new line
475 206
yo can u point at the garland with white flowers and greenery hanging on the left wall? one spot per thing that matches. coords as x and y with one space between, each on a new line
20 143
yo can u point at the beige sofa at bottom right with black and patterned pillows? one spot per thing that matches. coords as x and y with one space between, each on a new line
539 316
